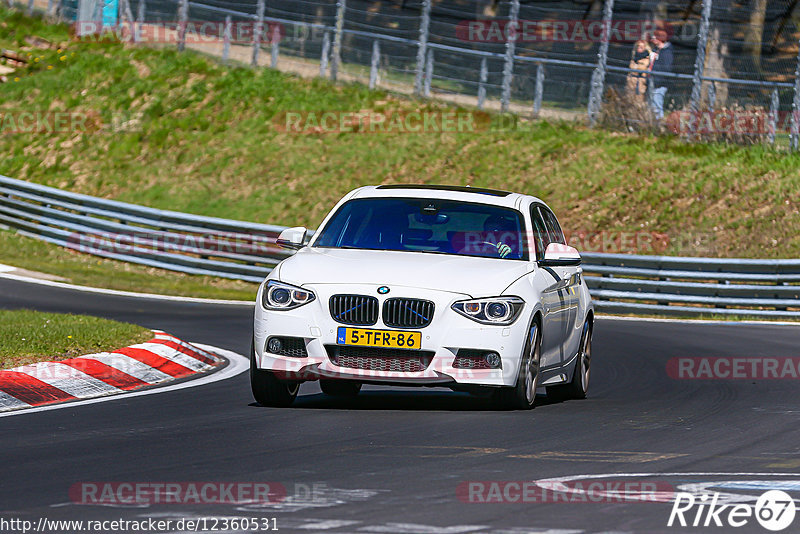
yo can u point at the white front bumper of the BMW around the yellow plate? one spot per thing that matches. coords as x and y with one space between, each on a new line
441 340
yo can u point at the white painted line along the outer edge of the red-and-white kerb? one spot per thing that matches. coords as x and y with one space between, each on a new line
237 364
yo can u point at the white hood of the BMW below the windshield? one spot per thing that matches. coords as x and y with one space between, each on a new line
476 277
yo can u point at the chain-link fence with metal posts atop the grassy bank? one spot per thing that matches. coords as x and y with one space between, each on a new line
733 77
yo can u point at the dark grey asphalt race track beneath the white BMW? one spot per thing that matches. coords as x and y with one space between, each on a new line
392 460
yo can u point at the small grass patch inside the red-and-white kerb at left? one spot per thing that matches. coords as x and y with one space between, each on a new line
30 336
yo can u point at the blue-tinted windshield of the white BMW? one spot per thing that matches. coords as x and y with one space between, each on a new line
426 225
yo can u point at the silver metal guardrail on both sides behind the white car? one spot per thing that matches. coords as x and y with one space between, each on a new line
619 283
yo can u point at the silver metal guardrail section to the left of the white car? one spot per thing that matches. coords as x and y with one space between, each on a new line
157 238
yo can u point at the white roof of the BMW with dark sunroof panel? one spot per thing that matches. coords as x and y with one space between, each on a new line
447 192
